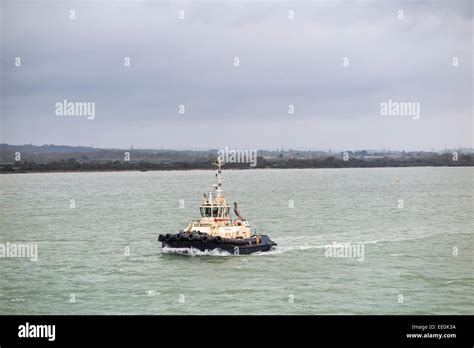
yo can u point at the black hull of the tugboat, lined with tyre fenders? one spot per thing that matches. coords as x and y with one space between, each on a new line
232 246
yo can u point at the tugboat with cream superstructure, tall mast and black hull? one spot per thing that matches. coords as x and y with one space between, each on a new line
216 229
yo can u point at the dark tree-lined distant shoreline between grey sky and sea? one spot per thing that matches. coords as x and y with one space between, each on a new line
61 159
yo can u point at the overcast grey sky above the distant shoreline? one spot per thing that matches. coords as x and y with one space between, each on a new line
283 61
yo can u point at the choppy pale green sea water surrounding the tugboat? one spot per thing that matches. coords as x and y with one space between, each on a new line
102 256
